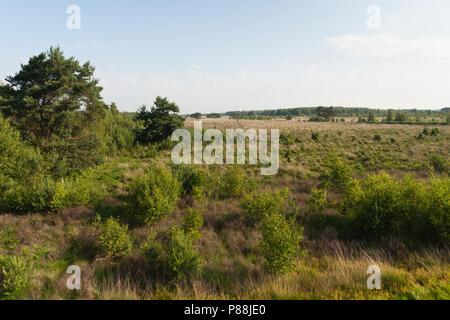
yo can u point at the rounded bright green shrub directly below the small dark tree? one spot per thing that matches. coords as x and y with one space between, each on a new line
153 196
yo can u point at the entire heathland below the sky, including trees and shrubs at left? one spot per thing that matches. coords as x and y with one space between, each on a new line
82 184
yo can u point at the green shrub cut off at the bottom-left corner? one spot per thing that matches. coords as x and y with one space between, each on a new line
15 276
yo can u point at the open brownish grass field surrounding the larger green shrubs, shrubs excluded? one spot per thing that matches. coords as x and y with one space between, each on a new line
331 263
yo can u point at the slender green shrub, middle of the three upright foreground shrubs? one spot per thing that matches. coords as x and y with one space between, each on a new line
182 258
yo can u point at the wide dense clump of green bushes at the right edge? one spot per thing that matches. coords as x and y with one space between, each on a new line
384 206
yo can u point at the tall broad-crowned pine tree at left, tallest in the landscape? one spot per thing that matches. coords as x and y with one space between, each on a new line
43 96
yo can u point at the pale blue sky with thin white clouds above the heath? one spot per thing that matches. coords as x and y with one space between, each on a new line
217 56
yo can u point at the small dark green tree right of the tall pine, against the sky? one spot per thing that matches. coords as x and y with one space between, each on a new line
159 122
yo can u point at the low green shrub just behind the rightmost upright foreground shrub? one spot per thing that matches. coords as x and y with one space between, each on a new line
257 205
